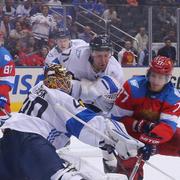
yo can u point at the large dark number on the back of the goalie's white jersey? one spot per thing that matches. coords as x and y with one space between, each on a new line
28 106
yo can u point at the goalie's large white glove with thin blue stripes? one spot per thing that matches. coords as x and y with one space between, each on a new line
124 144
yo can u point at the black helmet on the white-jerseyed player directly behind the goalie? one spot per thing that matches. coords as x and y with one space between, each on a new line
100 43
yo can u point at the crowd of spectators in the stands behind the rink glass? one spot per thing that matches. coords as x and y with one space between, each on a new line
28 27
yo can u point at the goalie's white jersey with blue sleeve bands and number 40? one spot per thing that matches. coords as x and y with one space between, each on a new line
40 115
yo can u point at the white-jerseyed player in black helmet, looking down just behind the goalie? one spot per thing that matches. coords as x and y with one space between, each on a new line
87 64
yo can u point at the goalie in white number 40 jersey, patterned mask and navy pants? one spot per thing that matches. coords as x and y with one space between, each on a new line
31 137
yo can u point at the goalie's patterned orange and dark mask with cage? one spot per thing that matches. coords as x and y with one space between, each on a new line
57 77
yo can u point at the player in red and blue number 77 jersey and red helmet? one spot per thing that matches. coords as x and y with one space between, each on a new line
149 107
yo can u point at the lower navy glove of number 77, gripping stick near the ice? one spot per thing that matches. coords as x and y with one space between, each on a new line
147 151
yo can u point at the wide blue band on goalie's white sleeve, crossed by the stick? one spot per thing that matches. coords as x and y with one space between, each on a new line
74 127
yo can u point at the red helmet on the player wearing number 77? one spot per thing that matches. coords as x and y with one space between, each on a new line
161 65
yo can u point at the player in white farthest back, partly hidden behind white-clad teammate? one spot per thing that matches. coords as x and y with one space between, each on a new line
63 48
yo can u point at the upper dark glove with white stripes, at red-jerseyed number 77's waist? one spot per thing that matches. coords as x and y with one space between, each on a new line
143 126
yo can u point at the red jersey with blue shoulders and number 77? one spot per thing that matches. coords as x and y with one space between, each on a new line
138 102
